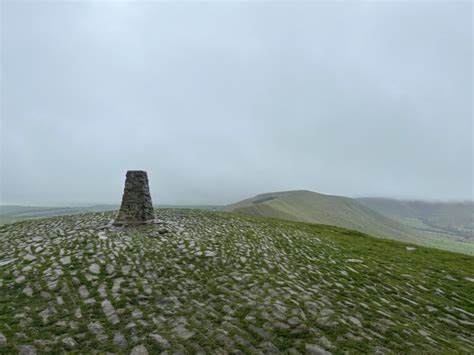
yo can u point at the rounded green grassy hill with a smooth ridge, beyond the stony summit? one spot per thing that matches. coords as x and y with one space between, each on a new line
308 206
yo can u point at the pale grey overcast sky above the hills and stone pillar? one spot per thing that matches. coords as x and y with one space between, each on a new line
221 101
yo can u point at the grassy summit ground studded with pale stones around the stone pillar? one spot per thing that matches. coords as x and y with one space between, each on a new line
217 283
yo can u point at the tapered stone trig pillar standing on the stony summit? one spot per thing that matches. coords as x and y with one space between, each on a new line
136 205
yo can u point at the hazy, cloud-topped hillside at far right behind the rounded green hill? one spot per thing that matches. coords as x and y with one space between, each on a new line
452 218
